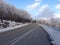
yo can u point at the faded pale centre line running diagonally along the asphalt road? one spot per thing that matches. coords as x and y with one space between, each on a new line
20 37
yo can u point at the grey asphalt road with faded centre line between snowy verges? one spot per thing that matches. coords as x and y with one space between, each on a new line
32 34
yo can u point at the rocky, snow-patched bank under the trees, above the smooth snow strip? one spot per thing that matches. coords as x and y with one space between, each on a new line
8 23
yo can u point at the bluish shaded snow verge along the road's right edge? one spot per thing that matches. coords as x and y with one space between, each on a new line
54 34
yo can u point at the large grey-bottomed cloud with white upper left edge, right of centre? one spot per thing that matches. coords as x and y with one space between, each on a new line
45 12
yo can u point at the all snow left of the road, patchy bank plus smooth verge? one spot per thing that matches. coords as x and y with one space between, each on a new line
12 25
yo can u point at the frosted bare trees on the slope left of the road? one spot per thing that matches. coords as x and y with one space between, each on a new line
9 12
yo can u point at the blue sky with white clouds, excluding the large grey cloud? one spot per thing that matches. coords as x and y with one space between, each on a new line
35 7
